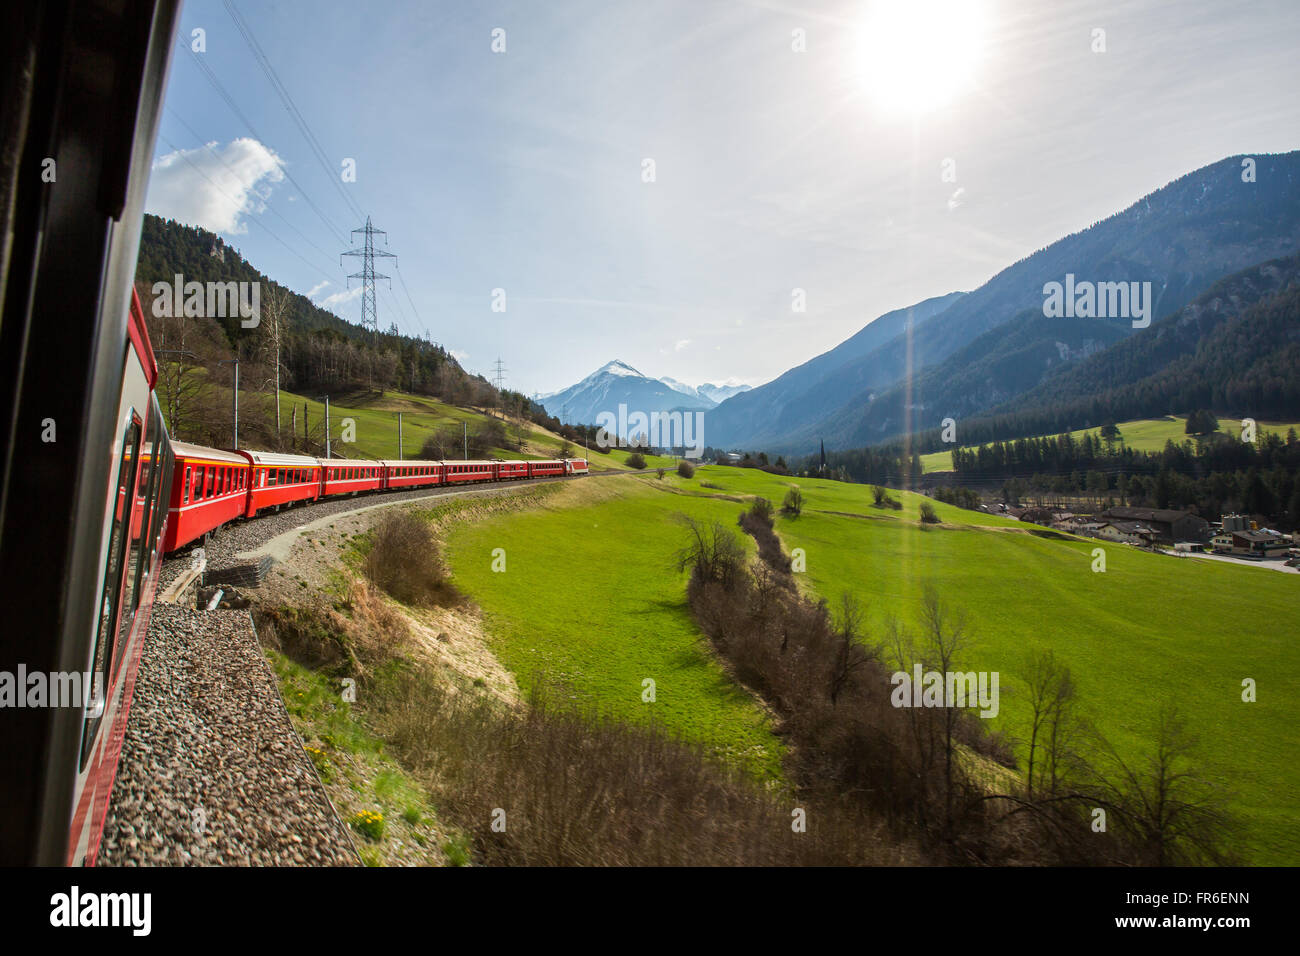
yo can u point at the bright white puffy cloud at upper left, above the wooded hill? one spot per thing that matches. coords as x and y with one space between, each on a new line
214 187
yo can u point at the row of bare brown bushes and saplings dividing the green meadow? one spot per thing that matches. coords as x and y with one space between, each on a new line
930 773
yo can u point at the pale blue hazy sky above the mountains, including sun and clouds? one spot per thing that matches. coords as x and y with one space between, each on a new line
712 191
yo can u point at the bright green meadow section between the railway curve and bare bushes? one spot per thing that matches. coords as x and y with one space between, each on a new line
591 607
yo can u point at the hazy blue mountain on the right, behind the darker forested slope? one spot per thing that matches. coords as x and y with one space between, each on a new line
1181 239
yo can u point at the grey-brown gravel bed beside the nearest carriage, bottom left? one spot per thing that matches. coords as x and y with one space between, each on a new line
213 772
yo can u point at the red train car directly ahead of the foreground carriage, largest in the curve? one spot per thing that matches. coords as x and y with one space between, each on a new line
209 488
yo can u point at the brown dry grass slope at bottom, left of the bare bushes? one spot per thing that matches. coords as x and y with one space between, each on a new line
575 789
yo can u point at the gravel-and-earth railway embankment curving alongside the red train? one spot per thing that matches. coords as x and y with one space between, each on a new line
237 755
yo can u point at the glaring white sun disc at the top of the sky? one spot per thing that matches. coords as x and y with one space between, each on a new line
920 55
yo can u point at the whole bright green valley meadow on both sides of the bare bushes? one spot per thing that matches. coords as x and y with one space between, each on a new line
592 599
